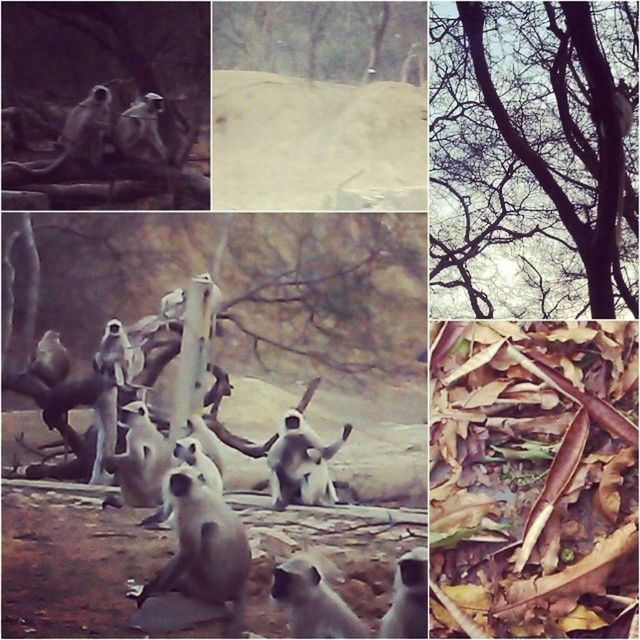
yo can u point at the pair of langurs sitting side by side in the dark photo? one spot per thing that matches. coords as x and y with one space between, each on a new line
88 126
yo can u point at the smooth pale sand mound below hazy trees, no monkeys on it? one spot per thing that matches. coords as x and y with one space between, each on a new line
284 143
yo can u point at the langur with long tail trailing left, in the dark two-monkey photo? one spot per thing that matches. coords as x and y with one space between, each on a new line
83 132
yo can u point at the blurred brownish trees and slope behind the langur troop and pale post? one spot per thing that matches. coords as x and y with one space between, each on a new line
344 291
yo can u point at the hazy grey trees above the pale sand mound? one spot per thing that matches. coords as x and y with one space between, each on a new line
317 40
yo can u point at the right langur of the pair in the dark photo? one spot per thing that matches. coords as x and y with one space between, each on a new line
136 133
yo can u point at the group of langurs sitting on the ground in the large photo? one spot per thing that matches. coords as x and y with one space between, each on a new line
183 480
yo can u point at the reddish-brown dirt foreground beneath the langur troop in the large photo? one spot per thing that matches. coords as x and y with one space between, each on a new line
79 559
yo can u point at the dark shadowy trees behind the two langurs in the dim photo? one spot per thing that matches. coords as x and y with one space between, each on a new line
57 50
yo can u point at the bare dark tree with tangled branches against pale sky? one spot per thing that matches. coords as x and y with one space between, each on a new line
526 164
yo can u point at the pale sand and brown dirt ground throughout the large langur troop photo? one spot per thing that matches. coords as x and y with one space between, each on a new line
66 562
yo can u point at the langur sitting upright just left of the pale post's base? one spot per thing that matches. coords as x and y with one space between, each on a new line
140 470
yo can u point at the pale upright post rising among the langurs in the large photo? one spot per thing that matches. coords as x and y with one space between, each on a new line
203 300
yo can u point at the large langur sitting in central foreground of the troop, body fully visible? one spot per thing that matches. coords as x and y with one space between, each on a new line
213 560
